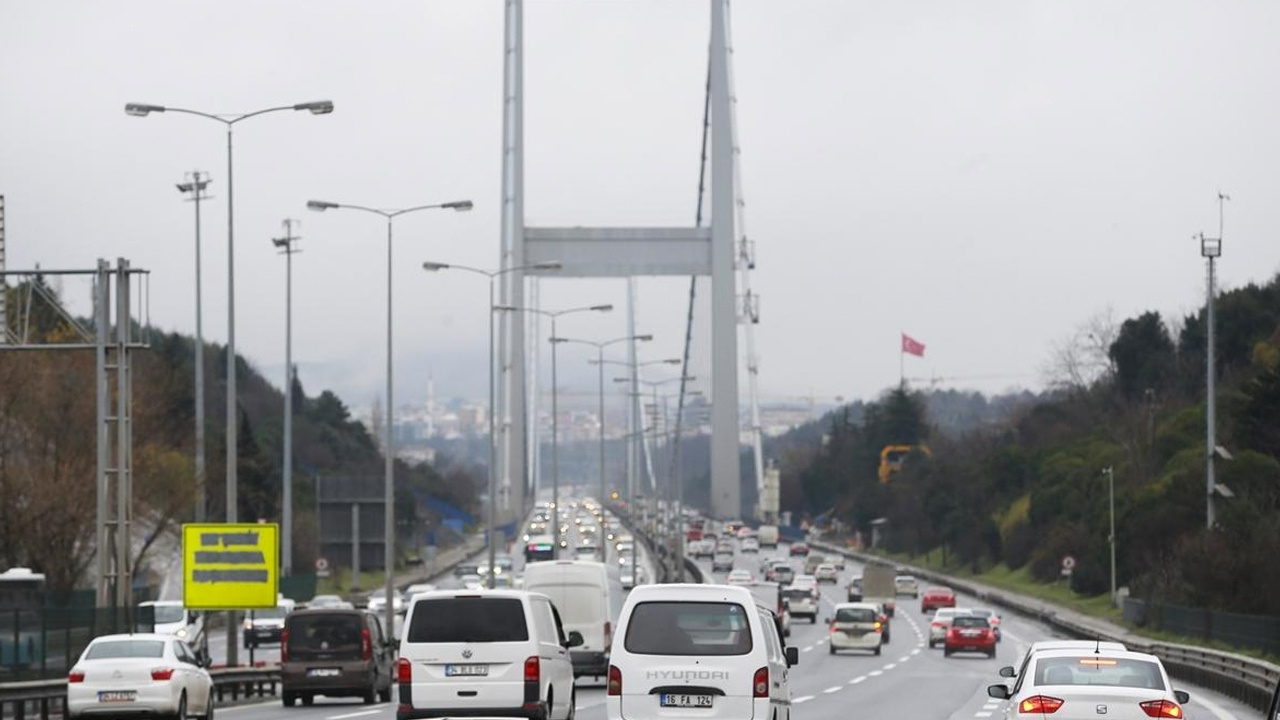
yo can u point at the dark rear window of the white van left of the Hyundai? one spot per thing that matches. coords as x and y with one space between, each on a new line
469 619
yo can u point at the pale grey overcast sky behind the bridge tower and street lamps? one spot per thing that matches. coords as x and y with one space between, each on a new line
984 176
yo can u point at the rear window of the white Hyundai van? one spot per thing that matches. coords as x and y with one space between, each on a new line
689 628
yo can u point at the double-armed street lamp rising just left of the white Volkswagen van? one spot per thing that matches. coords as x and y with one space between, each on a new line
388 430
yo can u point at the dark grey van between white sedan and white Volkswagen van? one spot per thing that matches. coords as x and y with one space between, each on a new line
336 654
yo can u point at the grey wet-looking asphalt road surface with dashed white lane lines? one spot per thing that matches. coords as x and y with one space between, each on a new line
907 681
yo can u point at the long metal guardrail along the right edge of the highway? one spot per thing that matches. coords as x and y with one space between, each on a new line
1244 678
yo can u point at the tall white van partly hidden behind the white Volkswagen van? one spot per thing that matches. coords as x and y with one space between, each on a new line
580 591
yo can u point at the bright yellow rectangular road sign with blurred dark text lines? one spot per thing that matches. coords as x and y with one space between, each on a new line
230 567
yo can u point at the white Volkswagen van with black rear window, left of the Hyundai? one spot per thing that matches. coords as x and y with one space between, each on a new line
486 654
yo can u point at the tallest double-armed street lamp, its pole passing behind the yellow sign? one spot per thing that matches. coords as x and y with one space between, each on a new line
141 111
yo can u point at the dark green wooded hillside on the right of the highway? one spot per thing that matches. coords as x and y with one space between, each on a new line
1030 490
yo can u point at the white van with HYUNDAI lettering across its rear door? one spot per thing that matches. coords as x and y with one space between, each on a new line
705 653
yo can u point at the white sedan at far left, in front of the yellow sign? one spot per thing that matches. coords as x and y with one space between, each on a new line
139 675
